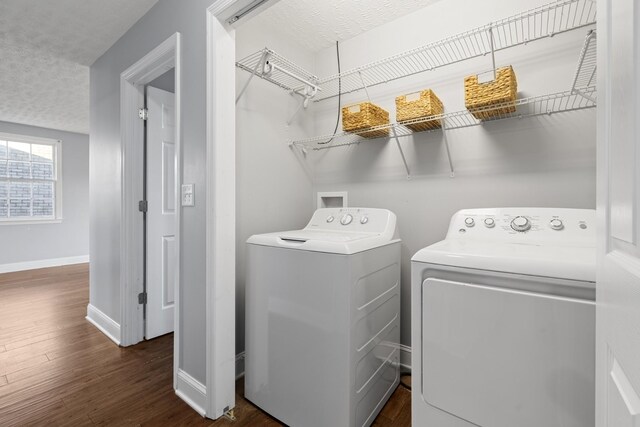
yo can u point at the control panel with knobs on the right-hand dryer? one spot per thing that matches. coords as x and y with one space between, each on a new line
529 225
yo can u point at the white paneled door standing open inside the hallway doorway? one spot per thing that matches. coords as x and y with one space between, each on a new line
161 213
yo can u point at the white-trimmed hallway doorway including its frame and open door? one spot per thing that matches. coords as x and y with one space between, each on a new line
135 82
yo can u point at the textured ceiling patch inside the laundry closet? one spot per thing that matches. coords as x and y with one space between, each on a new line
317 24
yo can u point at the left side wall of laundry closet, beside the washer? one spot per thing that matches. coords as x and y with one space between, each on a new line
274 191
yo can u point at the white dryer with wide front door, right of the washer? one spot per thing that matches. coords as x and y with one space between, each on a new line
503 321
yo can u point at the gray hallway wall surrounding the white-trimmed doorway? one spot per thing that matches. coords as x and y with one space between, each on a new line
163 20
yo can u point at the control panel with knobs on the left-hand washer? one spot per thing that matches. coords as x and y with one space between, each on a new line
353 219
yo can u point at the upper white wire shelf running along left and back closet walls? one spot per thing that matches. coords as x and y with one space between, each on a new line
542 22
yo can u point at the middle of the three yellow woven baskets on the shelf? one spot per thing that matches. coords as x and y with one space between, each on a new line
428 104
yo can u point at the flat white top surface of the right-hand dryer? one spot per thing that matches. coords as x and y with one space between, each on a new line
562 262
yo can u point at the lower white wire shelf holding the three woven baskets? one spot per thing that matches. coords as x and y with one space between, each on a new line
525 107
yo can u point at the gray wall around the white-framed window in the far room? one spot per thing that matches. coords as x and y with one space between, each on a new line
70 238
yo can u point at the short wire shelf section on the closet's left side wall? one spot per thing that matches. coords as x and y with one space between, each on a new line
270 66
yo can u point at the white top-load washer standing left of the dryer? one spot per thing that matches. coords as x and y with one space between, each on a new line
323 318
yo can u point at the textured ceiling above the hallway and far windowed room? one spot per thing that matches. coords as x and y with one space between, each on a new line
46 48
